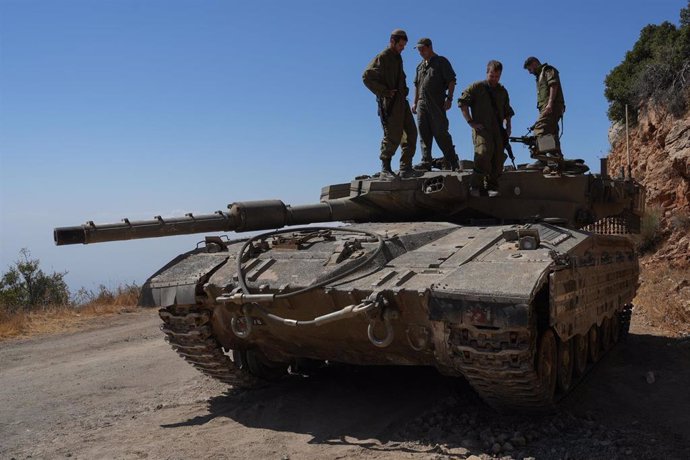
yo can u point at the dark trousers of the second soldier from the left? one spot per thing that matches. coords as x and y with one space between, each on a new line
433 124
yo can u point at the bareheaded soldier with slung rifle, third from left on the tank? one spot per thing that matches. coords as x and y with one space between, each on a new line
485 105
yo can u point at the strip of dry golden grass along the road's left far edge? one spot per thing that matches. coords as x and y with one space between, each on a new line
66 318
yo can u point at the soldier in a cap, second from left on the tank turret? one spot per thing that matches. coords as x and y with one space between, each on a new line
434 85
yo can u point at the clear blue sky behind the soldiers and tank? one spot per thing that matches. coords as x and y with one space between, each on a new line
137 108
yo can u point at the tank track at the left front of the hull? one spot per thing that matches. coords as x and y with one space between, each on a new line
188 330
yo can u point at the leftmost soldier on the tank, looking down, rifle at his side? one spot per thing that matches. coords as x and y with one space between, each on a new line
385 77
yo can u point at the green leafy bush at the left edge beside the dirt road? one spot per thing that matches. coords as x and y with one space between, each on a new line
26 287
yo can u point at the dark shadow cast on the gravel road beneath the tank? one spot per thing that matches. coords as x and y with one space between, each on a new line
614 413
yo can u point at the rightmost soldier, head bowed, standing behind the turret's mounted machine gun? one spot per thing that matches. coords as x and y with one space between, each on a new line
550 101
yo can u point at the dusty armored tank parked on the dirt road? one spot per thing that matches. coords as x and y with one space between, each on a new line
518 293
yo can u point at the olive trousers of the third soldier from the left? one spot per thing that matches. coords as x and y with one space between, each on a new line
488 158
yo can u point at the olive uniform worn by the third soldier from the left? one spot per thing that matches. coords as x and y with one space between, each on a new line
488 142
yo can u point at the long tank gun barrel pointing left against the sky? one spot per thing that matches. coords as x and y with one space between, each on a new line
241 217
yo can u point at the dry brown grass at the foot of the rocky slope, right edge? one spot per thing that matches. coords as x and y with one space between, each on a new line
663 299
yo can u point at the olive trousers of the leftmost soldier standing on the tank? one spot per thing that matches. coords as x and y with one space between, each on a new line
399 129
